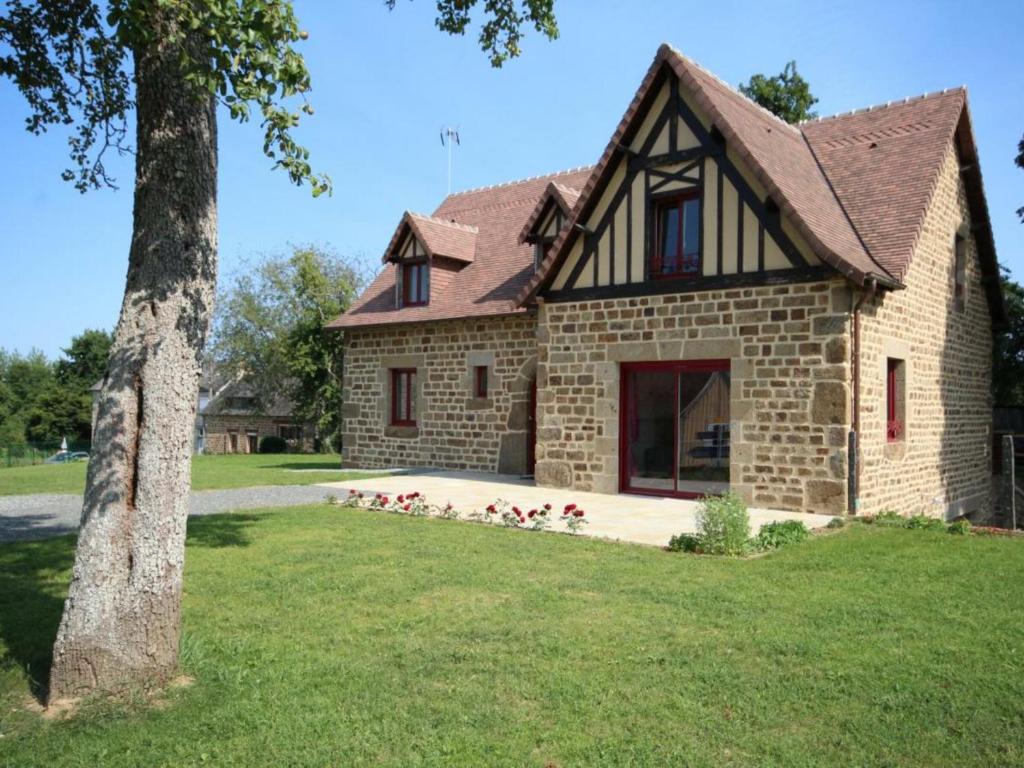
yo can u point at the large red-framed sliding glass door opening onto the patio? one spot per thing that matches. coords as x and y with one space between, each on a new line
674 434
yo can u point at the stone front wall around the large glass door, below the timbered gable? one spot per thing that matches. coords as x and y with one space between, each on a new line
789 348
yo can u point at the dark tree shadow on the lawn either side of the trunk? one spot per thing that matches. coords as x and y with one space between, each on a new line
34 580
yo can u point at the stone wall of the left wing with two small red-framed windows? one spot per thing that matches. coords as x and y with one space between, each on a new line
455 430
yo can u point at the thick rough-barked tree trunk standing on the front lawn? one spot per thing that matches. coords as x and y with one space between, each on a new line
121 624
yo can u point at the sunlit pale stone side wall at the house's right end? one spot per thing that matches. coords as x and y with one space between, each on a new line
943 466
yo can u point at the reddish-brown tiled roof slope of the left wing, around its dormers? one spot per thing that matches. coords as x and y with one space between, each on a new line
501 266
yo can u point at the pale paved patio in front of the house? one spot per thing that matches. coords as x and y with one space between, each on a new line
641 520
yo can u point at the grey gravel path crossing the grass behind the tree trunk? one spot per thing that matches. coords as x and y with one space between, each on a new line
44 516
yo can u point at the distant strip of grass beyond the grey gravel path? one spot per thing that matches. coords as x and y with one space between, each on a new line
208 473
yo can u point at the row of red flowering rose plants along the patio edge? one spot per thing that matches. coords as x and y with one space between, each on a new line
499 513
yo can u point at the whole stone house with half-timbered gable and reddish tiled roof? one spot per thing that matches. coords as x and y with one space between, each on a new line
802 315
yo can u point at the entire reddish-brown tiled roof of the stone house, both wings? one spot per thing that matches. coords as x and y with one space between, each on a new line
856 187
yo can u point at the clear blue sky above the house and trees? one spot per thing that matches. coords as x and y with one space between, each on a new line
385 83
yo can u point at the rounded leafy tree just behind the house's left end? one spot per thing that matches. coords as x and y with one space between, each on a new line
270 328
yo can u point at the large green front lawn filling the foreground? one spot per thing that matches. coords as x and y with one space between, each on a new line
324 636
